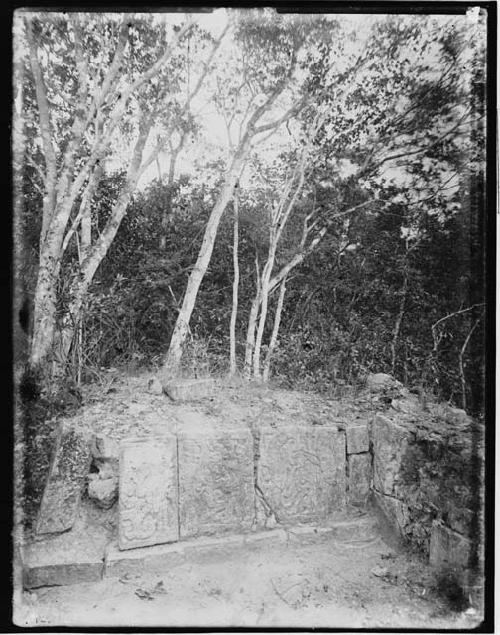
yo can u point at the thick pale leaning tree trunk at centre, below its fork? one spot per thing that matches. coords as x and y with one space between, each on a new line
197 274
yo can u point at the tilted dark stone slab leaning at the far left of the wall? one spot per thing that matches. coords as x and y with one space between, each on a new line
69 467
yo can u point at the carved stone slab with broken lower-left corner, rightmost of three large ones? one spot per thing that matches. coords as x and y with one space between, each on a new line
301 472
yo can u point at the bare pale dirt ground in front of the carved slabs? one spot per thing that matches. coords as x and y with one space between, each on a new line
315 582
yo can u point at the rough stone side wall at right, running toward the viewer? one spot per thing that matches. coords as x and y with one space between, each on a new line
428 480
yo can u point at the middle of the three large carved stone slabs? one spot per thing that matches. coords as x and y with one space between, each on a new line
216 489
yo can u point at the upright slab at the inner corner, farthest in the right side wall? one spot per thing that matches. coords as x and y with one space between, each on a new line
389 445
